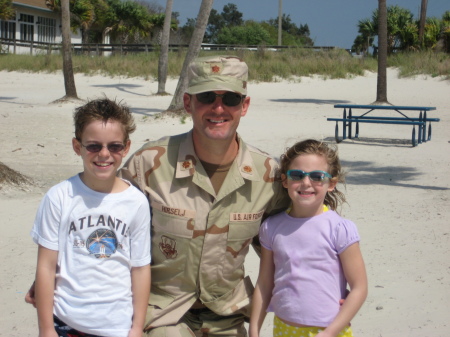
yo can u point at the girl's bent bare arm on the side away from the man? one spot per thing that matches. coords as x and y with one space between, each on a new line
355 273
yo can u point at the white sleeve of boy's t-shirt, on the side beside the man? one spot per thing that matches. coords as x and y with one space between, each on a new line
140 243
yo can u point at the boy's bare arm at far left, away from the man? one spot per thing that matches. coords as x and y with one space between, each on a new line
44 290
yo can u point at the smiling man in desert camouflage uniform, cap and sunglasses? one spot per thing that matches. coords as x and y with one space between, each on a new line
208 191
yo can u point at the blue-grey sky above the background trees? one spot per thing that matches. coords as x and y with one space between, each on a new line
330 22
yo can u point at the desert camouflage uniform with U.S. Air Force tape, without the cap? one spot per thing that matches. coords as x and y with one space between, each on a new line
200 239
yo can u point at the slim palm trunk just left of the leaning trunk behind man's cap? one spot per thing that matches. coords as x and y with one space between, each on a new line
164 53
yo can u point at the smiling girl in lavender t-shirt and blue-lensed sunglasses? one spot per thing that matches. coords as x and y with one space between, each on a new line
309 253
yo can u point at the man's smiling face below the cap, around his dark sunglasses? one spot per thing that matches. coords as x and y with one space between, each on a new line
214 121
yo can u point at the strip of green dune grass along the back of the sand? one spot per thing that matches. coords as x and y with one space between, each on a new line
264 65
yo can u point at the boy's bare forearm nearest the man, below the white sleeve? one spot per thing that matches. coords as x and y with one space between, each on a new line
140 287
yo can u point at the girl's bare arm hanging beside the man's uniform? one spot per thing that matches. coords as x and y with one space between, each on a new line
263 292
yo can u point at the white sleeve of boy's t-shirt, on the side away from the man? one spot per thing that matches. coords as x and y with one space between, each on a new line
45 230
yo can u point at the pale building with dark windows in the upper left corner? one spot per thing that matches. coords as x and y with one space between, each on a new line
35 26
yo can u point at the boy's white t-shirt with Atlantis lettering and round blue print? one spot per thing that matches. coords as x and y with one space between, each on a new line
99 237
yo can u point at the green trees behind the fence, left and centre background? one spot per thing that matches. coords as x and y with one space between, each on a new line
136 21
